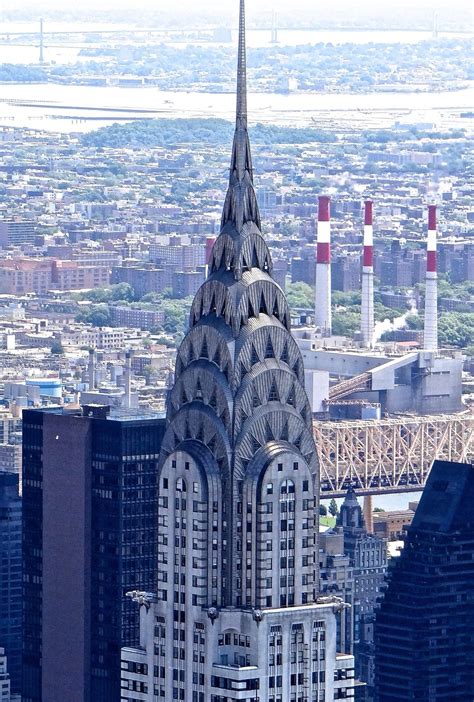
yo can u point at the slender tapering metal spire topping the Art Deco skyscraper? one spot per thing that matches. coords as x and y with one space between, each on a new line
241 203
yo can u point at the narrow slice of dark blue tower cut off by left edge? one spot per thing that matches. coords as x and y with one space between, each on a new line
10 575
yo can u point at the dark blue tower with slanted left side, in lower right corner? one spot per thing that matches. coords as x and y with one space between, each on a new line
424 631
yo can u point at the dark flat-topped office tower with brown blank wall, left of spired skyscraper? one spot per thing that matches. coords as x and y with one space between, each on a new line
89 536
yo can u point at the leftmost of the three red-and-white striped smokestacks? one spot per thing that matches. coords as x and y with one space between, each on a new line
322 317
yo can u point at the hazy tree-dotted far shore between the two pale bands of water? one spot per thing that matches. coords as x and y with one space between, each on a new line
317 67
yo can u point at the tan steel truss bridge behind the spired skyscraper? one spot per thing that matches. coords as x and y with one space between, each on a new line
389 455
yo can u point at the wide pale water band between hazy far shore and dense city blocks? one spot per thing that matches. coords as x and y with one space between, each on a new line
83 102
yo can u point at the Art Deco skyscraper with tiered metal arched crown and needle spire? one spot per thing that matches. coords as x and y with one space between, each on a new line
236 615
